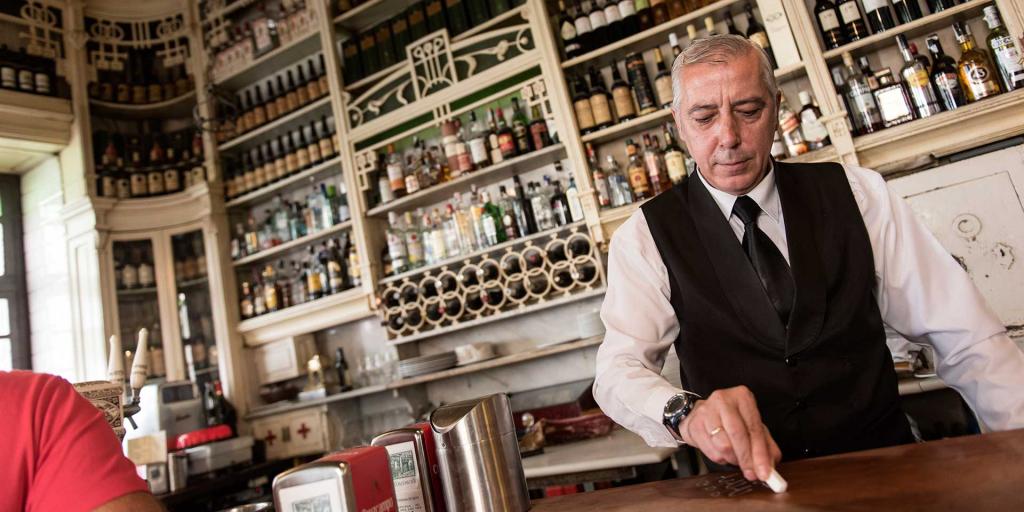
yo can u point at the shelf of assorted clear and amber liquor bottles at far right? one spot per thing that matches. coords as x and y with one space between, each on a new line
916 89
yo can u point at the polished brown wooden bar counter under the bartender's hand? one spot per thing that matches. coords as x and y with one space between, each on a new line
973 474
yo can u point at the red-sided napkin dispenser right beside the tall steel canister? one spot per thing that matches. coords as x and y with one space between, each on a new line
414 467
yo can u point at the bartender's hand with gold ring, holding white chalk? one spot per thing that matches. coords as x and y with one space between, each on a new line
728 430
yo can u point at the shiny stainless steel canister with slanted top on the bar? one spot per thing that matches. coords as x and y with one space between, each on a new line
479 455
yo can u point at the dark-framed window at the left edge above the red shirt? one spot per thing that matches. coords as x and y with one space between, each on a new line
15 352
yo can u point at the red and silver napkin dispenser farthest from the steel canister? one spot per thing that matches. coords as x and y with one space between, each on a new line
354 480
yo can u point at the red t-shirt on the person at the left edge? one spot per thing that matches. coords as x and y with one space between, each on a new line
59 454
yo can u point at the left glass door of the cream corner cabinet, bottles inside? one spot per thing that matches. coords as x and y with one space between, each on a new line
139 305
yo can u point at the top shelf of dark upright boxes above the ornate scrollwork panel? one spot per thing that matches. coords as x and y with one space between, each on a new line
375 37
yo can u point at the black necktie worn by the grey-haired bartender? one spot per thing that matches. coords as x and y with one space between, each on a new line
766 259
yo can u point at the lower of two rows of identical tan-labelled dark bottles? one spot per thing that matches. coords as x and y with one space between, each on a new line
283 164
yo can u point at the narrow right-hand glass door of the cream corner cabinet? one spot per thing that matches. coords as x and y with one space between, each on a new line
194 310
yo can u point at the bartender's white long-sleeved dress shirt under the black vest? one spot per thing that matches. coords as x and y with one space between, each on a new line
923 294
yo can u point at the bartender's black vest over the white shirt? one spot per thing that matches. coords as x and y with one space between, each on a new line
825 385
